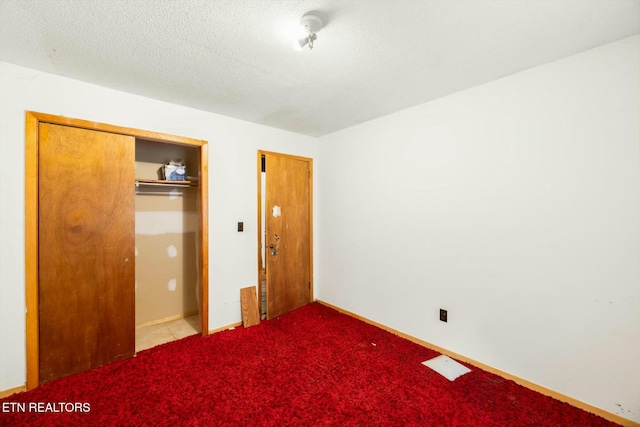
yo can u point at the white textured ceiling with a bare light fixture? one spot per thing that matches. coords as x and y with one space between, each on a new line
234 57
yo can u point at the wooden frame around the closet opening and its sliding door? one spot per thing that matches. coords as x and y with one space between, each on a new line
33 120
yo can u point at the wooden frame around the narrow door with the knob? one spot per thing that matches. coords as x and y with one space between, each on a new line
262 272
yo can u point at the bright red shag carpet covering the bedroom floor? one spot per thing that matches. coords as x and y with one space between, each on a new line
311 367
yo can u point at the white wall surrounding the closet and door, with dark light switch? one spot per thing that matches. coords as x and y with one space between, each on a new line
233 146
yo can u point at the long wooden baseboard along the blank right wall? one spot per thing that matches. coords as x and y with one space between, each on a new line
528 384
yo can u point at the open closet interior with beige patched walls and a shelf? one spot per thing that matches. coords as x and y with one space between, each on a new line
167 284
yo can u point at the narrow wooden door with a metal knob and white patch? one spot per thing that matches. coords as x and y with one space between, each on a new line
288 233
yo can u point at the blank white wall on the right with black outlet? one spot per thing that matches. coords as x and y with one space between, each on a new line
515 206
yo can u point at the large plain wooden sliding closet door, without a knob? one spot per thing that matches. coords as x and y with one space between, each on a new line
86 249
